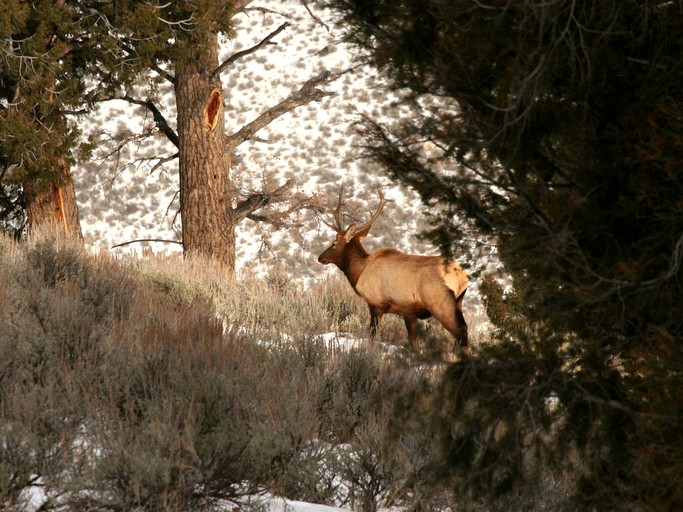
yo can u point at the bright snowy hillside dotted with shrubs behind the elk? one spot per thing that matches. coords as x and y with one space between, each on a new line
122 197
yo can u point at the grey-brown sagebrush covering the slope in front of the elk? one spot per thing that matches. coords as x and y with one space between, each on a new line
158 385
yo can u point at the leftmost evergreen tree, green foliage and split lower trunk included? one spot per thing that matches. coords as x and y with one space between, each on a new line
39 84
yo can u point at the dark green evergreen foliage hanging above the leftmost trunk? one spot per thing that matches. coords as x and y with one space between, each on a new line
38 81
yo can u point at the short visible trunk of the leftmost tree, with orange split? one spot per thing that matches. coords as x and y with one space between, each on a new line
54 202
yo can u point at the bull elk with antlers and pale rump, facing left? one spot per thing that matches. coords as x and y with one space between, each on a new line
390 281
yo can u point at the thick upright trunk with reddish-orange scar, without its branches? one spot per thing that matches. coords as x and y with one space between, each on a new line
208 223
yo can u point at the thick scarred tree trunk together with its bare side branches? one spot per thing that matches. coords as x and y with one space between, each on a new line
205 150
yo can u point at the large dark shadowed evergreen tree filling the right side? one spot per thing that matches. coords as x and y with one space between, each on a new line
553 128
